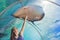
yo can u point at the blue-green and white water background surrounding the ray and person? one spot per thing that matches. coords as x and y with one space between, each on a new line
49 26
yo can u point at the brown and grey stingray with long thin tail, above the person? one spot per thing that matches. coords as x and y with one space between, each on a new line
33 13
